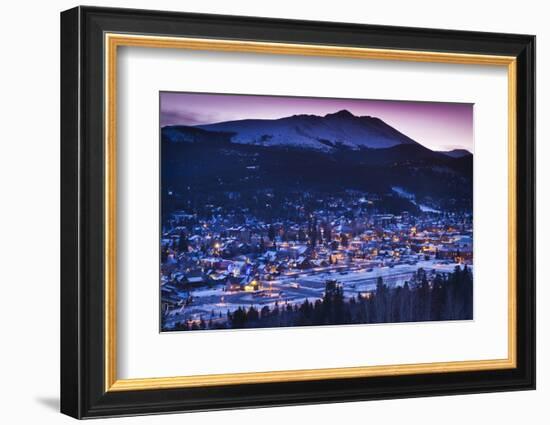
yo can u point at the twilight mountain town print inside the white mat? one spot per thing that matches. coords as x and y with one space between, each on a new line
284 211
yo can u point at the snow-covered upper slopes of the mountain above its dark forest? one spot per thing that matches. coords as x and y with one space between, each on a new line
340 130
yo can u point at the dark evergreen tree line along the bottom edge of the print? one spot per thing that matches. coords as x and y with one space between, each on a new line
446 296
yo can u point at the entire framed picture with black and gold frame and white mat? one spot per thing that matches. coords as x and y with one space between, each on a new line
261 212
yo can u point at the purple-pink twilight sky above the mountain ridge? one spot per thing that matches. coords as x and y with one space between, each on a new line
438 126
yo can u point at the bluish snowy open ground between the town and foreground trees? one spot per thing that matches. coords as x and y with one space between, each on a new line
214 303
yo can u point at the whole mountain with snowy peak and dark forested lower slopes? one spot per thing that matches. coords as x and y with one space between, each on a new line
307 154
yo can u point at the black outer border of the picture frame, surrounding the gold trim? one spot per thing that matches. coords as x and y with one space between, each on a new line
82 212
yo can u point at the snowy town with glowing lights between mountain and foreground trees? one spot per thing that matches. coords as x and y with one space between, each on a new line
266 250
